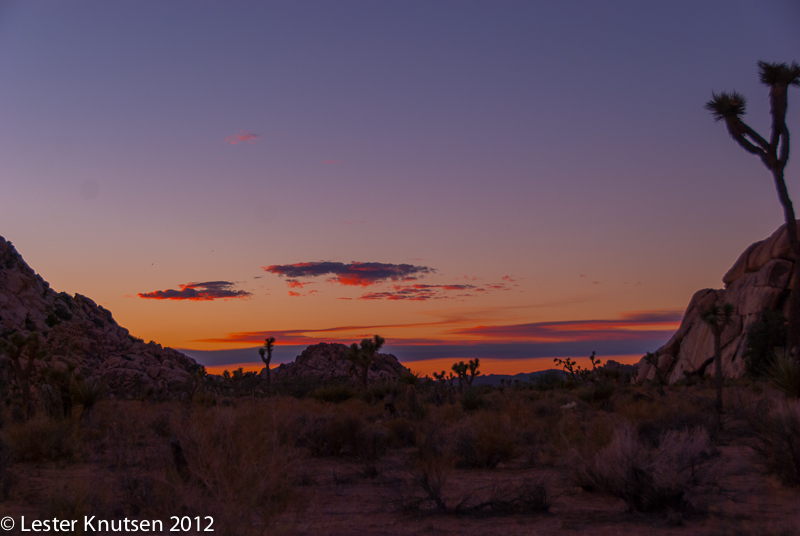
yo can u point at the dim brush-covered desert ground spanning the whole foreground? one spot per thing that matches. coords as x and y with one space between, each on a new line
418 457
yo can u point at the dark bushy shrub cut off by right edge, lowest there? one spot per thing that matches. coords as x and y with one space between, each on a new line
777 438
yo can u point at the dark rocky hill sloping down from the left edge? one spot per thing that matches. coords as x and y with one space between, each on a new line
80 334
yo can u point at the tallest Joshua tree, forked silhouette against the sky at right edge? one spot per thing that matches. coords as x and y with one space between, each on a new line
730 107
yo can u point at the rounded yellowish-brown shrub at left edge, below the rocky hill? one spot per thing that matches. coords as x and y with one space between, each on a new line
42 439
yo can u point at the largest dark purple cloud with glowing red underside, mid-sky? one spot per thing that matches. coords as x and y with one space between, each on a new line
354 274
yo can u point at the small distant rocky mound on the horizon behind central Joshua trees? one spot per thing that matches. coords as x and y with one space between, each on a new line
327 362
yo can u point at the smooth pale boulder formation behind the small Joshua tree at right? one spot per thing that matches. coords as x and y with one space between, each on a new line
760 279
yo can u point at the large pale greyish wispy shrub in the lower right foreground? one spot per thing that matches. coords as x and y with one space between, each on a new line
676 476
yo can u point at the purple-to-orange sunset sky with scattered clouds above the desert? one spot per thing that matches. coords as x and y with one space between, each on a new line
509 180
